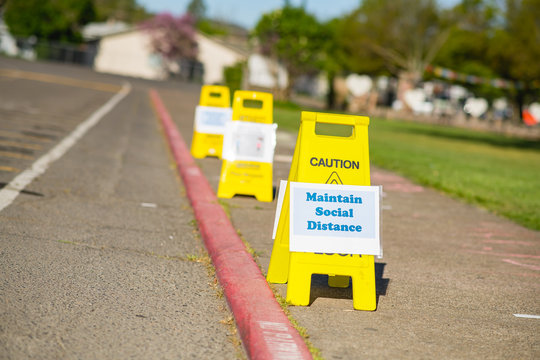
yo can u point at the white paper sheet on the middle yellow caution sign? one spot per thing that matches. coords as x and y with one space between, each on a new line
249 141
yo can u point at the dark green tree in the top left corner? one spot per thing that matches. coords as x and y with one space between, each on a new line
59 20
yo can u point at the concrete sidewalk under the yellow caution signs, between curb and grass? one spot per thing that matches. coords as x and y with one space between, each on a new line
451 281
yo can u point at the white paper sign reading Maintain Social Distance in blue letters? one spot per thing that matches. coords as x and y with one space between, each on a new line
329 218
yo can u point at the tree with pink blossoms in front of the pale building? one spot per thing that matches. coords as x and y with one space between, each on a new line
173 37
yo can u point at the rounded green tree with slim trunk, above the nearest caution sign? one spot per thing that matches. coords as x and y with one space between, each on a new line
293 38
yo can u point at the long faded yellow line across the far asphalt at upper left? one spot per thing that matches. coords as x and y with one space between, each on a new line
62 80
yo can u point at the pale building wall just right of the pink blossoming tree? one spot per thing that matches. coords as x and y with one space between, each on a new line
215 57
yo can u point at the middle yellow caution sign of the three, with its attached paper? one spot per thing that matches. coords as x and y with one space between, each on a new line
248 147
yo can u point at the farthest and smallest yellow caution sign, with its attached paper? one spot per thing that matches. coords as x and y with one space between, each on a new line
211 116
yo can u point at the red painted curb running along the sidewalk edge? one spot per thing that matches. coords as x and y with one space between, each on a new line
263 326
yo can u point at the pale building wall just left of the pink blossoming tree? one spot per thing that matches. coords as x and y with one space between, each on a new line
129 54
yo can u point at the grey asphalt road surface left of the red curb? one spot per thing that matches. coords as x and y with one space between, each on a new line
100 257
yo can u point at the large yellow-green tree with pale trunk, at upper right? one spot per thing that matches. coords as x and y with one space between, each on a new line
404 36
